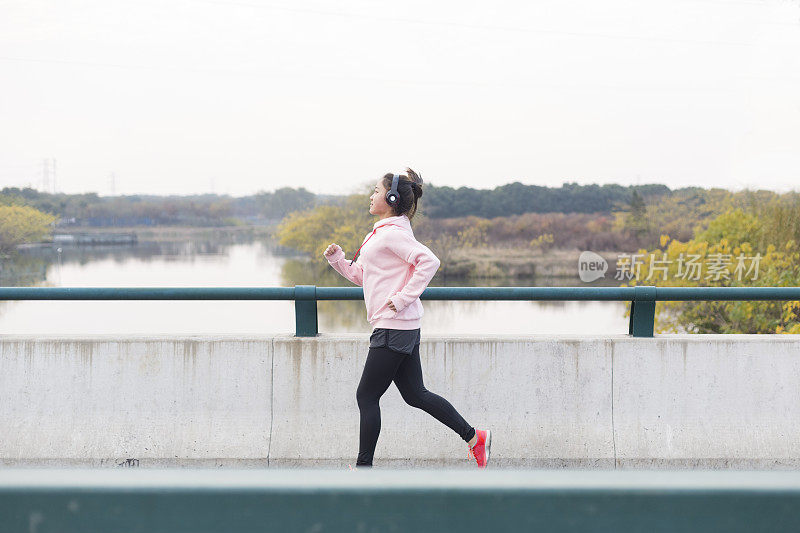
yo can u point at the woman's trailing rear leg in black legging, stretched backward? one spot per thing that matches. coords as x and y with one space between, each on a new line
409 382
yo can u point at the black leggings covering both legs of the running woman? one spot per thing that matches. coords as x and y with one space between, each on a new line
383 366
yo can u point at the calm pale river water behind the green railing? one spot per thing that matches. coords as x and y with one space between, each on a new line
251 262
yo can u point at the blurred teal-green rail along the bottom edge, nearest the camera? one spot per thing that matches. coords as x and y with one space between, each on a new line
234 500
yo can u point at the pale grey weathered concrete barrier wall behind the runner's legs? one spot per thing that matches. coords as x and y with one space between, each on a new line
716 401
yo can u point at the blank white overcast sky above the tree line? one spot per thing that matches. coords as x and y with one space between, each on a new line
195 96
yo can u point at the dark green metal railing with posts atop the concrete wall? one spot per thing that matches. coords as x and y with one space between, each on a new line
643 298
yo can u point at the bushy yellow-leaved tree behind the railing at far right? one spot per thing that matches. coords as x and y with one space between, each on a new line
721 256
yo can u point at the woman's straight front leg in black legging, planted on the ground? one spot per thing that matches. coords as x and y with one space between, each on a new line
379 369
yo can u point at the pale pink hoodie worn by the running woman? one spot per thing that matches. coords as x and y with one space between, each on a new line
391 265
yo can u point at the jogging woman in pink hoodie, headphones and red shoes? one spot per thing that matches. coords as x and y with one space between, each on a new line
394 268
